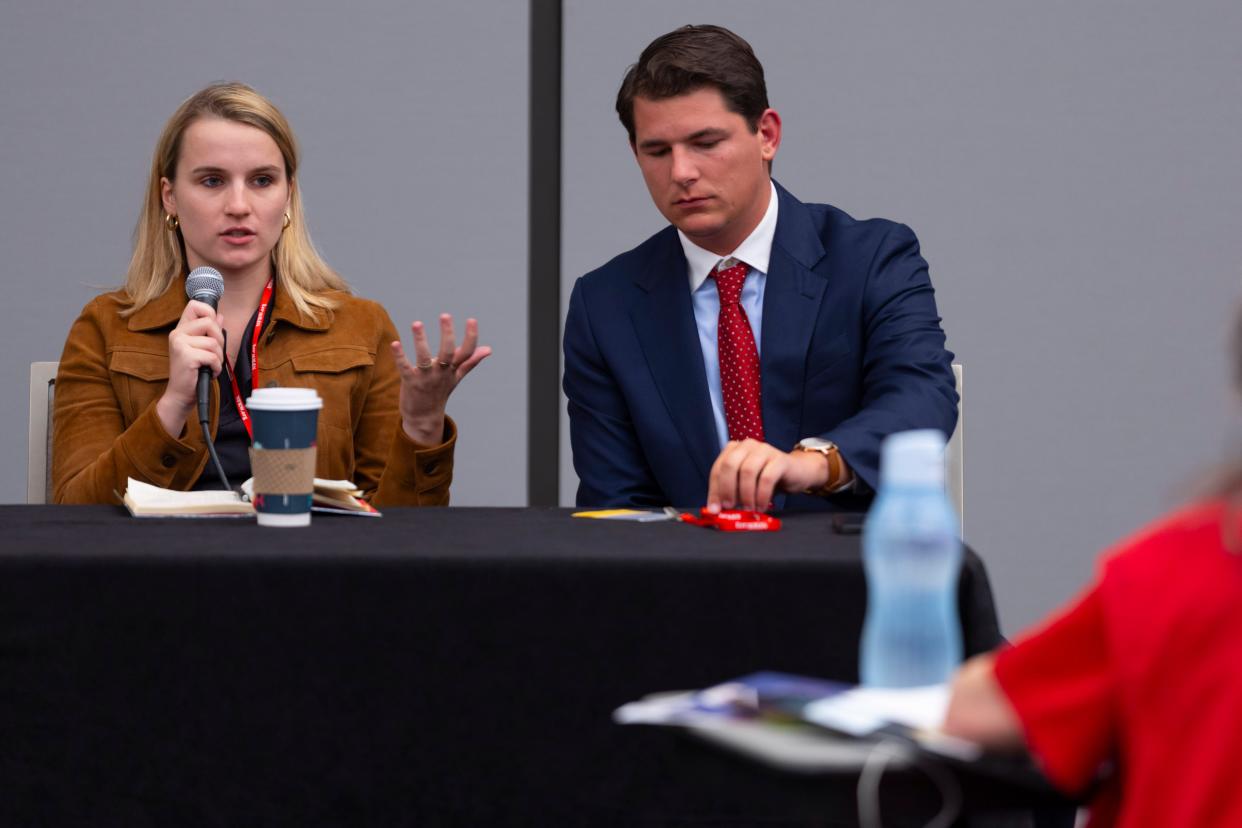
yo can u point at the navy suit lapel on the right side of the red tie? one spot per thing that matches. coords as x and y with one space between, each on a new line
792 305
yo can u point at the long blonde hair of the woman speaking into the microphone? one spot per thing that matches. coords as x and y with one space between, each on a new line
160 253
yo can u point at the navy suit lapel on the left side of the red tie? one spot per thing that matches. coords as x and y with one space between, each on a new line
664 321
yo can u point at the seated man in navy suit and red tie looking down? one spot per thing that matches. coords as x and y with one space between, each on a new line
681 392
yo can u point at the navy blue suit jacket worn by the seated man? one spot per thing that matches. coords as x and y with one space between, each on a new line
851 351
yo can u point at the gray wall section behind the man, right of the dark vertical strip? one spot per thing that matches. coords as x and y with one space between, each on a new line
1072 172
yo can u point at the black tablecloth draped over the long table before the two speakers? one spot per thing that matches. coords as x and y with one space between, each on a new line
433 667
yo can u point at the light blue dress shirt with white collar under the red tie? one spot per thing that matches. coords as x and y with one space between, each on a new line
755 251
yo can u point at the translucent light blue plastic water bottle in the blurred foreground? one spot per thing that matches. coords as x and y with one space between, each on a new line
912 556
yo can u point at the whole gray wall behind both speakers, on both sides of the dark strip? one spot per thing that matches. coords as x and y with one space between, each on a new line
1071 169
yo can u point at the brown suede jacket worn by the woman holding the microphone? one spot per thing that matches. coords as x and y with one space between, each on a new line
115 369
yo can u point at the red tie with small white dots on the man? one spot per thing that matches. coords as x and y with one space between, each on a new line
740 358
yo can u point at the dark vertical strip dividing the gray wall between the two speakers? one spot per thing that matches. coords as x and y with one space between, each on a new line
543 435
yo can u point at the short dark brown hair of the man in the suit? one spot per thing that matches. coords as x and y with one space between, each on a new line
690 59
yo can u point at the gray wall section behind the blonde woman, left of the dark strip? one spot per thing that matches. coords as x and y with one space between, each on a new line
413 124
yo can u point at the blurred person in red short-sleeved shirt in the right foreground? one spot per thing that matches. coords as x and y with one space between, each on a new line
1133 695
